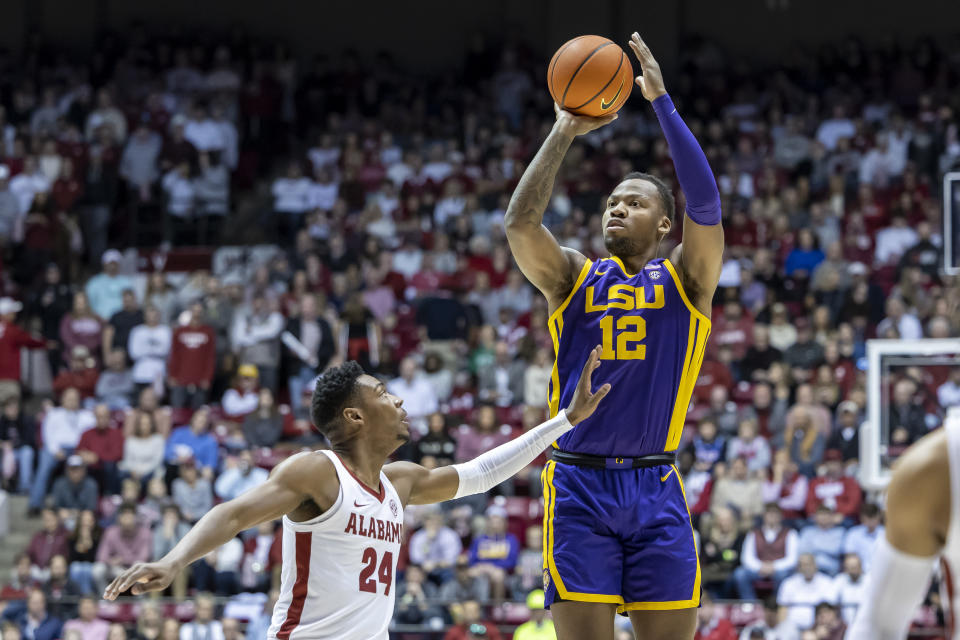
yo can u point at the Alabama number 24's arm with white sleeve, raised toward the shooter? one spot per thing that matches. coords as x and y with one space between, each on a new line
486 471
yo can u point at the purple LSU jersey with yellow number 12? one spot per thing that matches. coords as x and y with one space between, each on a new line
653 342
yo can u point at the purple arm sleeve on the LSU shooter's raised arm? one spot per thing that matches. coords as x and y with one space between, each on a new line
693 172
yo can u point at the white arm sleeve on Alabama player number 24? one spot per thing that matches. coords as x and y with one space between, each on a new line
493 467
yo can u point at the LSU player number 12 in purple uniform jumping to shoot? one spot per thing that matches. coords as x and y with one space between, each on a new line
617 532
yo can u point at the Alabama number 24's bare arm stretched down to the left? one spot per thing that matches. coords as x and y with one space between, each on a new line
288 486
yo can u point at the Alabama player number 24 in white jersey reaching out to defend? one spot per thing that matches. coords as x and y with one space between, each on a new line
342 509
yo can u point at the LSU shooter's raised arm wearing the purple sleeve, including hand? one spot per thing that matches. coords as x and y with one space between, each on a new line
700 257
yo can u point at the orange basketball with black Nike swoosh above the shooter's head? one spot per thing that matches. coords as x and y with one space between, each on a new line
590 76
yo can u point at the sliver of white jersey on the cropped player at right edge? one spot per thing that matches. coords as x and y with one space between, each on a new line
950 559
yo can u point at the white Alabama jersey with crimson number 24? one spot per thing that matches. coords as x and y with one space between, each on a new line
337 579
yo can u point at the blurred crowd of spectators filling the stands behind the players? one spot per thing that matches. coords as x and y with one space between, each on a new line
144 395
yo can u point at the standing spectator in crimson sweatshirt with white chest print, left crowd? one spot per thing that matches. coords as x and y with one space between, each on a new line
193 357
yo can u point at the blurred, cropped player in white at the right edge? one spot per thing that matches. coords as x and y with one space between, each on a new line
923 525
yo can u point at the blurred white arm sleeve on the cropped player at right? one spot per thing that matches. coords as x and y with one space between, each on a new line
895 588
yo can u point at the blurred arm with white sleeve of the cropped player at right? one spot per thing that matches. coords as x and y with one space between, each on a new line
918 515
